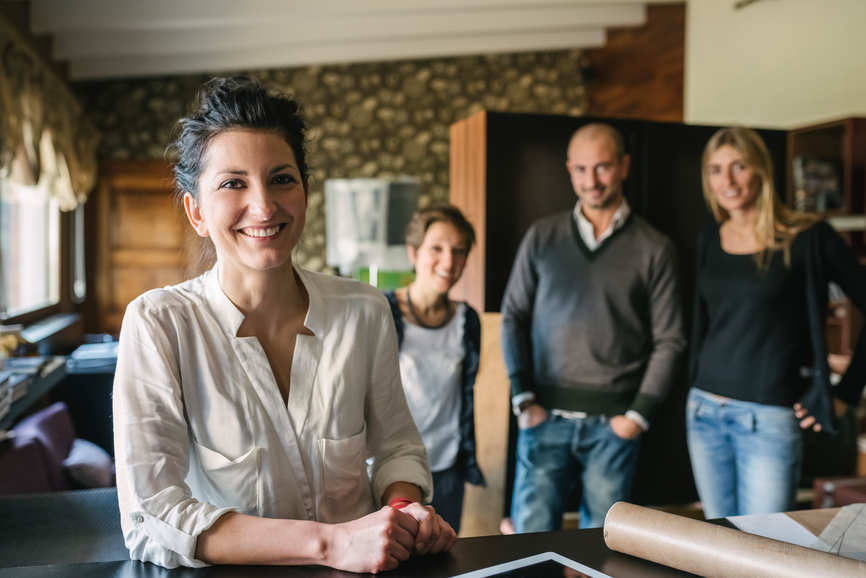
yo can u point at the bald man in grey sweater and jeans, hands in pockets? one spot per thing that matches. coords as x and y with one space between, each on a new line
592 333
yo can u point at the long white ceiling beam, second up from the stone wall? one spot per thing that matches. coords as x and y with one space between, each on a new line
339 30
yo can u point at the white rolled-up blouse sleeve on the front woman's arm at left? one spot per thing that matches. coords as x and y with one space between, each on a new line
161 520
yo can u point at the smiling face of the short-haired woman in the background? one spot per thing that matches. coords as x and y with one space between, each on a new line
440 259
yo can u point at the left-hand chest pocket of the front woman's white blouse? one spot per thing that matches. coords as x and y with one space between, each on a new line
231 483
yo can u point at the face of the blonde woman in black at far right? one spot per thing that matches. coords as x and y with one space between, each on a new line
734 183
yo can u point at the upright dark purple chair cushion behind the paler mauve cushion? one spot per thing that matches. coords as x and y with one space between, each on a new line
52 427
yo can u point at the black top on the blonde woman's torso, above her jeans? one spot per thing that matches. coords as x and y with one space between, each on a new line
757 334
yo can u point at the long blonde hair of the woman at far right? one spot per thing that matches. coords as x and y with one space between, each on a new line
775 225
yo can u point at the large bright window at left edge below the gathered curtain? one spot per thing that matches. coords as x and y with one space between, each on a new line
29 249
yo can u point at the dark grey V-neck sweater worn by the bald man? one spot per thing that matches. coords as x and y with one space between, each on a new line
594 331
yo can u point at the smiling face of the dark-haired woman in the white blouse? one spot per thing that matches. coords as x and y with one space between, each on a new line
251 200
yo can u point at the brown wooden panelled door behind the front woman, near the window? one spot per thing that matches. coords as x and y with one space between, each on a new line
143 236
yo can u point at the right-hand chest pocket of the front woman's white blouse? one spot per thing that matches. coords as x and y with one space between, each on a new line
343 464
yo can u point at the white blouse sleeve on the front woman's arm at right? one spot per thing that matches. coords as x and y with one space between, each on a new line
393 440
